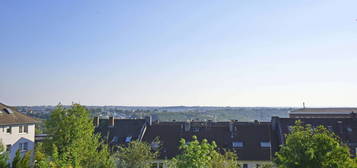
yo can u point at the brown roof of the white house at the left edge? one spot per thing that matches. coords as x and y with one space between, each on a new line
10 116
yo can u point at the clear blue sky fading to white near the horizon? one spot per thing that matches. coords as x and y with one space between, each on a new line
182 52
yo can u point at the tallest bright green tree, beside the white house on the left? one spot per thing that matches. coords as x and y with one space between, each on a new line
73 142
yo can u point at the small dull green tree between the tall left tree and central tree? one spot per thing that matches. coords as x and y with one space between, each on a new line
135 155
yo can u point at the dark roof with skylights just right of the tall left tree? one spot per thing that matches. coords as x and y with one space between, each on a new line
123 129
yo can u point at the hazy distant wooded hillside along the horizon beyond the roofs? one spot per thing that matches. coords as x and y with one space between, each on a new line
170 113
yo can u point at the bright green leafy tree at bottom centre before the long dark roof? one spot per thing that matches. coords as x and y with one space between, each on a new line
203 154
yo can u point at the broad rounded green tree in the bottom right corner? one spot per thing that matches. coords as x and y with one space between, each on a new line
310 147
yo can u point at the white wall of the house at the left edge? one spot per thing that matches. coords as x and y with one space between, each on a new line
15 138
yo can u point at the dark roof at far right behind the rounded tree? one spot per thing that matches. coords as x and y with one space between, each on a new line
345 128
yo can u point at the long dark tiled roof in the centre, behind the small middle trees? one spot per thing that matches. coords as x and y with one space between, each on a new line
251 134
